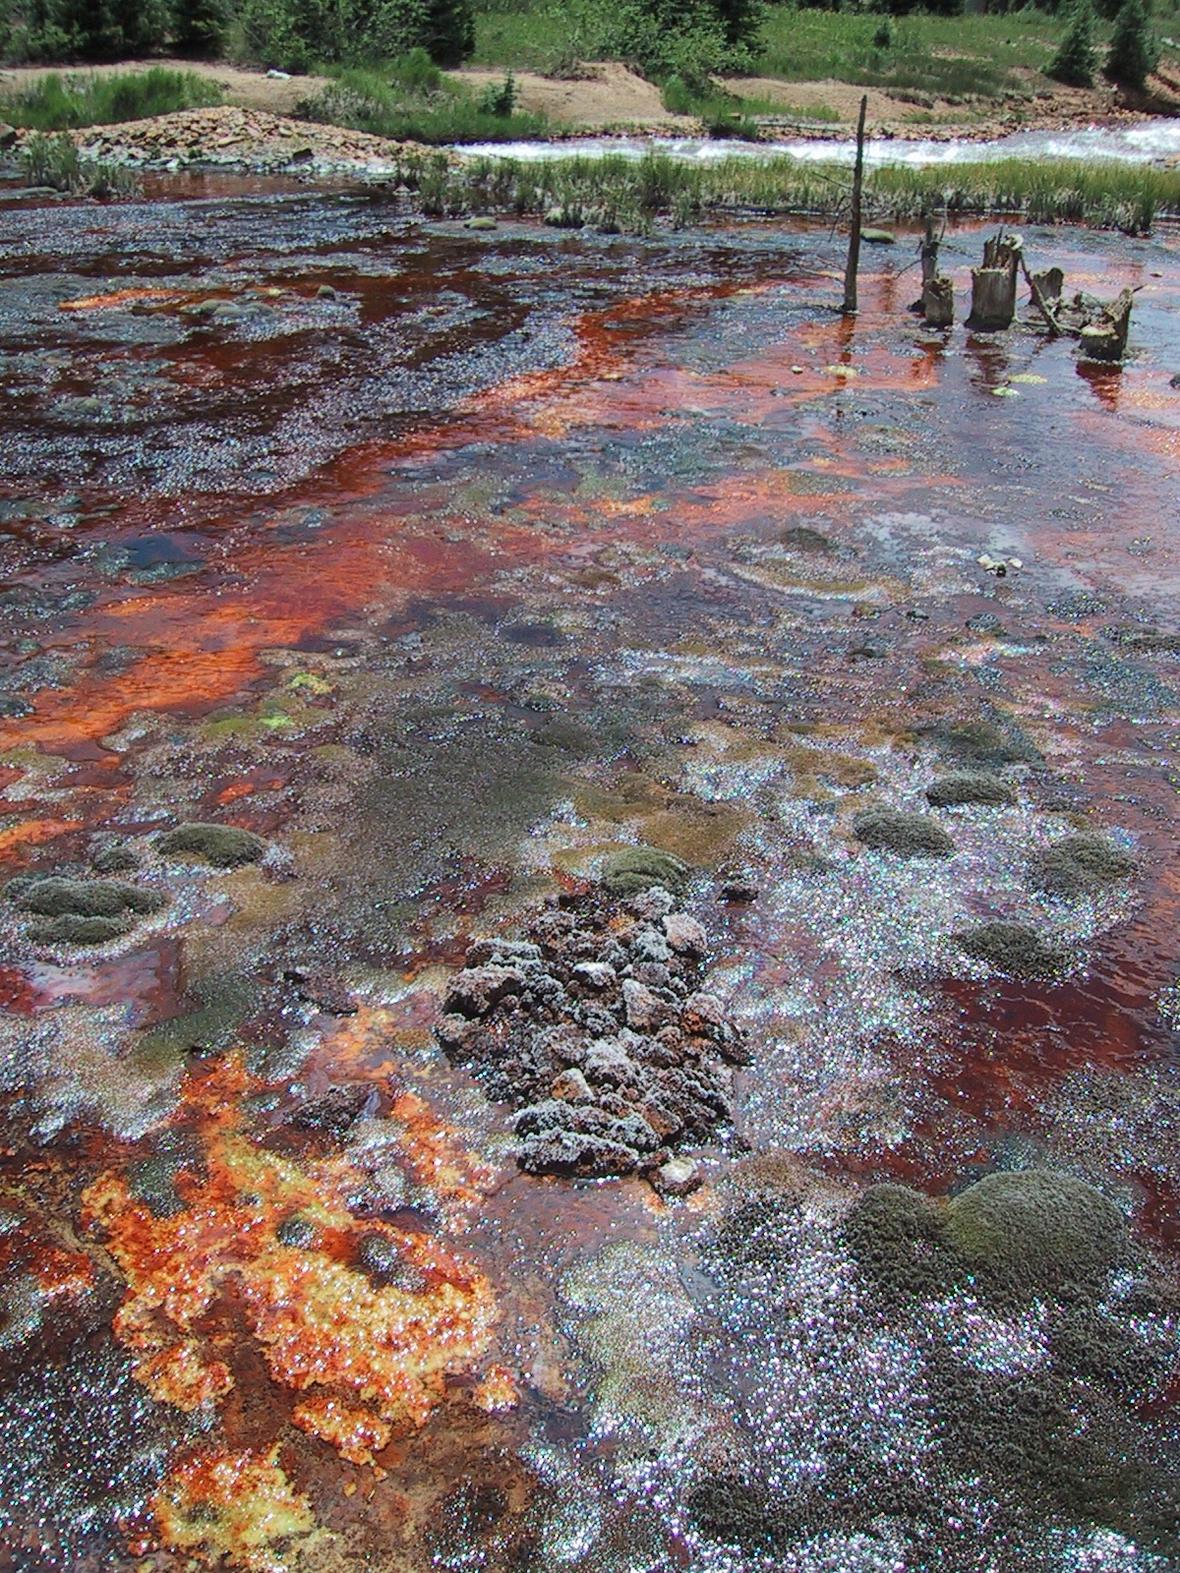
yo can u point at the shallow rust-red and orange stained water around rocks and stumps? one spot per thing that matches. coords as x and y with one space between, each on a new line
449 564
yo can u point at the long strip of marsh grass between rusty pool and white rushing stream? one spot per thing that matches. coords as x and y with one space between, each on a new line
618 194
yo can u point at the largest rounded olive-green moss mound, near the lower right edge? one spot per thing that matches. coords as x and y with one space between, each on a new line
1036 1229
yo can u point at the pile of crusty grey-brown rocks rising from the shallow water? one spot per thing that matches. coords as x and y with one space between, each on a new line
600 1033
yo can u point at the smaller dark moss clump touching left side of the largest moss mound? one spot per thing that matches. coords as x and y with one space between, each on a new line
894 1239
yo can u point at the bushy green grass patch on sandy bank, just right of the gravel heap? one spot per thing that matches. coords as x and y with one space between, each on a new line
415 103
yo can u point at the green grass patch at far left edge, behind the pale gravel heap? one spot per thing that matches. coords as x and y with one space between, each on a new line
57 103
